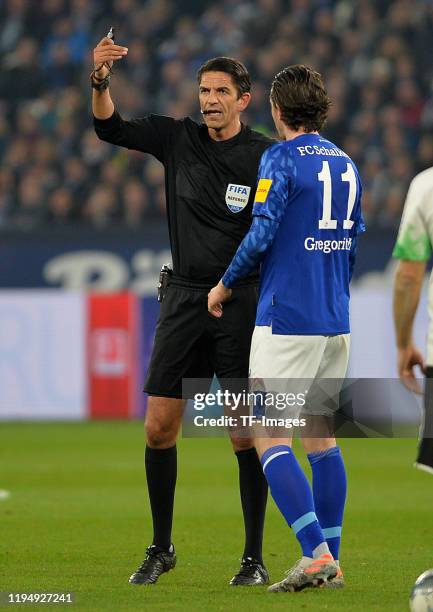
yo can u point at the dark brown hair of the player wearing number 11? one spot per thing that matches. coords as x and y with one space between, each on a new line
300 94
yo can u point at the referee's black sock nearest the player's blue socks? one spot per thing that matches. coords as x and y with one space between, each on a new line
254 494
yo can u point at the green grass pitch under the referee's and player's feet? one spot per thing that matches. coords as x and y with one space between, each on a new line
78 520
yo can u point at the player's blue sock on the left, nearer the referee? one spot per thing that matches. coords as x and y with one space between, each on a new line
291 491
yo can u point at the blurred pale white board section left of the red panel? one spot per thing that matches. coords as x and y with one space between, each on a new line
42 355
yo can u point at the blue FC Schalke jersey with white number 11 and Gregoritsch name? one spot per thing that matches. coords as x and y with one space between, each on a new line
312 188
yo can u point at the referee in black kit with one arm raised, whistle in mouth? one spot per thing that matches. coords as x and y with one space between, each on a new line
210 178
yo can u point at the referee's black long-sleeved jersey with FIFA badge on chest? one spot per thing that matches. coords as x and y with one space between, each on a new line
210 186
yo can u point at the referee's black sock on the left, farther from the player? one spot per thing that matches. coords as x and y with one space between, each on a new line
161 473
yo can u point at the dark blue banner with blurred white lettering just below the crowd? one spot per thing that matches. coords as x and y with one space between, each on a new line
116 259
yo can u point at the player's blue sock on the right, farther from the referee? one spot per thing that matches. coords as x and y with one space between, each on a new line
329 493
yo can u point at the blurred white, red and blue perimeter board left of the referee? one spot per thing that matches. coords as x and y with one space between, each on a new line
67 355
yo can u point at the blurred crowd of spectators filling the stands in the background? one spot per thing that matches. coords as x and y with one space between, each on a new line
374 54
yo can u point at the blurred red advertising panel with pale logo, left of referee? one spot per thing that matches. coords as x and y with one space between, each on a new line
112 355
